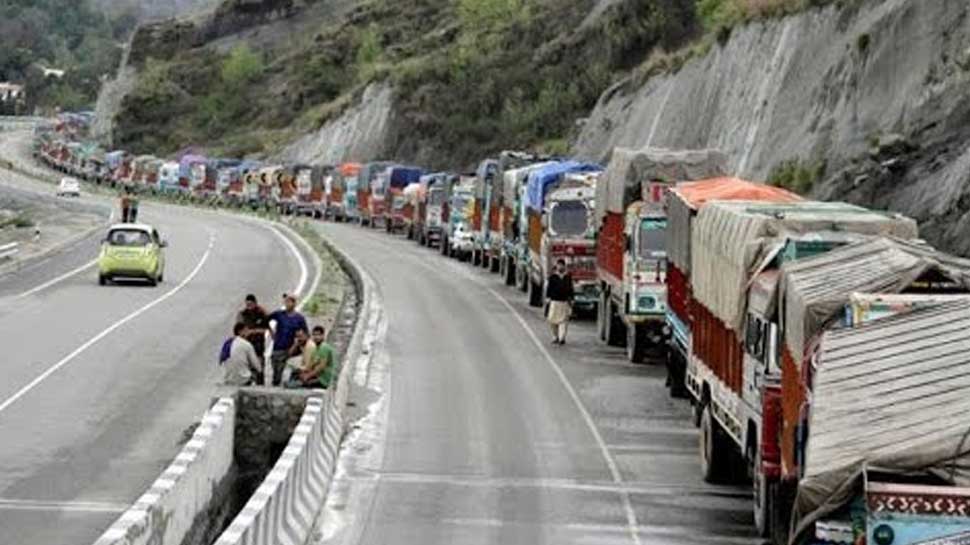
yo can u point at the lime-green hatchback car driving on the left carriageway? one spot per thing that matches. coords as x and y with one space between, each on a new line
132 251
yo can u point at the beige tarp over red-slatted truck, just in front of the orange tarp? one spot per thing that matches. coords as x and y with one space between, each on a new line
730 238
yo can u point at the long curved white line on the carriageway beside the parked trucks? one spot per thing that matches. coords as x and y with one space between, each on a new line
614 470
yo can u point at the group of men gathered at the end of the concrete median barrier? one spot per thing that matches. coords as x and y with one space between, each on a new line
299 358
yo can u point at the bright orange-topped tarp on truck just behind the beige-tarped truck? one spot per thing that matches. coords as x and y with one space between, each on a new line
687 198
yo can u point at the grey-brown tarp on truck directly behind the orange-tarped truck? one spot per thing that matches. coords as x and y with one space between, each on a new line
627 169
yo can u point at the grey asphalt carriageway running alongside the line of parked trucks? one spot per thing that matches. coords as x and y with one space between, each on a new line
486 433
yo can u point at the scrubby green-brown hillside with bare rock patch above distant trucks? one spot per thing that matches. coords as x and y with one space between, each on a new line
435 81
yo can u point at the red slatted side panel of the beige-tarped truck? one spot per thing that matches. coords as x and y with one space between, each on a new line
718 347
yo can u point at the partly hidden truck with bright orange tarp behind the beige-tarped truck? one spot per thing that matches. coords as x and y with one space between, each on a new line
682 204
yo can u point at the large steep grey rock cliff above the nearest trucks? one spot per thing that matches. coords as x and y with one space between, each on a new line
830 84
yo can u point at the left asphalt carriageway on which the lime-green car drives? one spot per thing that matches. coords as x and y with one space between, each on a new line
99 383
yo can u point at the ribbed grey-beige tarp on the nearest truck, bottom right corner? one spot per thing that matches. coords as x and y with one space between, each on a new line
890 396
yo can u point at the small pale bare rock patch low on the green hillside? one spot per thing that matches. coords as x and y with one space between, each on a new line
363 130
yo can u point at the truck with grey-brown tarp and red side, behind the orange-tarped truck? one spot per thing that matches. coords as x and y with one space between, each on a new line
631 256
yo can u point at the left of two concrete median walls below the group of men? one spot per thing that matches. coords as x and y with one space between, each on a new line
200 477
